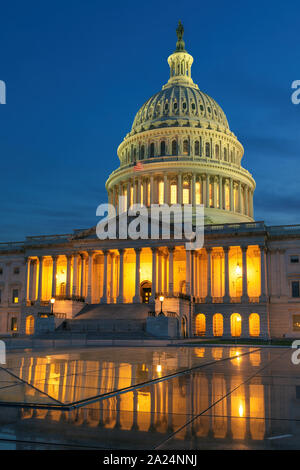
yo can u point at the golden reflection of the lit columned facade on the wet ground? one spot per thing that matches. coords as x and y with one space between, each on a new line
159 408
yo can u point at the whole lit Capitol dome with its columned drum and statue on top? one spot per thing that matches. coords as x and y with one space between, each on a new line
188 153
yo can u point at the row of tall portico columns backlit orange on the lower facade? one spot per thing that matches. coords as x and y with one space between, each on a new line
192 274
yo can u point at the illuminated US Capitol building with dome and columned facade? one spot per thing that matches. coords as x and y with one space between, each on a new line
244 282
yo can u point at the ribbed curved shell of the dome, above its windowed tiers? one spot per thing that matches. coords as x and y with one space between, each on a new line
179 106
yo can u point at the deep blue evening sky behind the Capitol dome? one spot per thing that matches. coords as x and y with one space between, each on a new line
78 71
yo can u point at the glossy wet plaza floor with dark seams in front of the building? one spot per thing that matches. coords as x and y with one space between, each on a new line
151 398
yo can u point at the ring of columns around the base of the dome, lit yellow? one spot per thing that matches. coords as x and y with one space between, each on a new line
215 191
